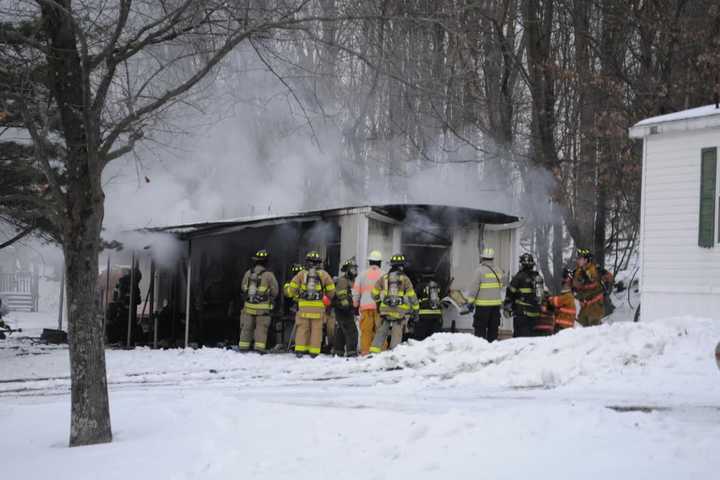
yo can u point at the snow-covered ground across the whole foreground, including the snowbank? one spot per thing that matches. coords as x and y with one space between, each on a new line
620 401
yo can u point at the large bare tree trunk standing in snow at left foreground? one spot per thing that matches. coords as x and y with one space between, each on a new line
82 223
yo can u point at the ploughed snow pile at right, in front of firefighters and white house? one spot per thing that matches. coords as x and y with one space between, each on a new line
573 356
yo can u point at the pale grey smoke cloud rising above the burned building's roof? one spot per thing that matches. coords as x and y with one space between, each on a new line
257 155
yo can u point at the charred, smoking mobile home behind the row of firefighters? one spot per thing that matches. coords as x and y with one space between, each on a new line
204 283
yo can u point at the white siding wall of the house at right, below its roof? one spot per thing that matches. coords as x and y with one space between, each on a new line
677 276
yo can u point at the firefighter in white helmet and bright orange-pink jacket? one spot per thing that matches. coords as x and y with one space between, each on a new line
363 301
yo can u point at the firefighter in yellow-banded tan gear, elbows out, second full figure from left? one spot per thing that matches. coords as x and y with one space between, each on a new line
313 288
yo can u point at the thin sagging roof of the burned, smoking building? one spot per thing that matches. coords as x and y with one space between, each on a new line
392 211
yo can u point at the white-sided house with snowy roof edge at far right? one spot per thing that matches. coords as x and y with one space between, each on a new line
680 214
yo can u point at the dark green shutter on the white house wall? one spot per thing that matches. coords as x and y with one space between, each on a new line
708 199
